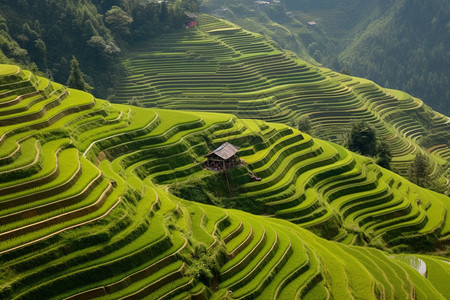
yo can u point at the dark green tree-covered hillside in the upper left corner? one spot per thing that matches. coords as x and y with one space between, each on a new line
45 35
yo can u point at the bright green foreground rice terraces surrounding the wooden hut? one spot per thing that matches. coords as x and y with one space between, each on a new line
94 203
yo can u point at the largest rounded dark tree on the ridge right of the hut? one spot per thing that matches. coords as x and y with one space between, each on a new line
362 139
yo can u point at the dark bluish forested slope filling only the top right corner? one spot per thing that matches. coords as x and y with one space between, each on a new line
407 48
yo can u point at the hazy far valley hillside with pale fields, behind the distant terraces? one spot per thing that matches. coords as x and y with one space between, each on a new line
398 44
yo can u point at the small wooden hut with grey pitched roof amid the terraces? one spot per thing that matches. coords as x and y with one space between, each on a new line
223 158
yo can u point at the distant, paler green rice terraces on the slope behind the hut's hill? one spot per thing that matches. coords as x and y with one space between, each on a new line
219 67
